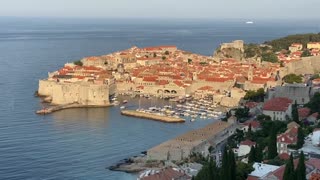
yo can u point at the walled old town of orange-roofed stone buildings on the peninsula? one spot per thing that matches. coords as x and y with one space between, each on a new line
167 72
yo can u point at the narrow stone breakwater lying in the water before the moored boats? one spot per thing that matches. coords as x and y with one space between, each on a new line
144 115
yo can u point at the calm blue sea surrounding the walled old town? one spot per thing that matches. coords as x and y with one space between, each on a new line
80 143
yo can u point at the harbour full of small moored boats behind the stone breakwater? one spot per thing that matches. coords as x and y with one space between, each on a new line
190 109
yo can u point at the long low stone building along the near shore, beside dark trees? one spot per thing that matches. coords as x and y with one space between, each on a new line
196 141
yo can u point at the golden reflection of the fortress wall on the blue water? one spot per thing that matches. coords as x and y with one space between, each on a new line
90 117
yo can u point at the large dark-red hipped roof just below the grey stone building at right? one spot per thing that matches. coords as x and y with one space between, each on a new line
277 104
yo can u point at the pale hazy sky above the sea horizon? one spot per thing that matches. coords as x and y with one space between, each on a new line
251 9
